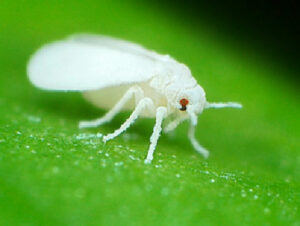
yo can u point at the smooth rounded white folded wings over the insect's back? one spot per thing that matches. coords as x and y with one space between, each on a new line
89 62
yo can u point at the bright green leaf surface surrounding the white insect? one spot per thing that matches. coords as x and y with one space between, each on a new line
52 173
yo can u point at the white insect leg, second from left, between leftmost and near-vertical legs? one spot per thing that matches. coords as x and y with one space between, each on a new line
144 103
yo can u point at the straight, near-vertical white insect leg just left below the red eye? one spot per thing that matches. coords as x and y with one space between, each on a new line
160 115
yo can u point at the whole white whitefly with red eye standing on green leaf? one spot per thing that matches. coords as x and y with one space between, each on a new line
115 74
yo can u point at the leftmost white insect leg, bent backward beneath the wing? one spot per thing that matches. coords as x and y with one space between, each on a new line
133 91
